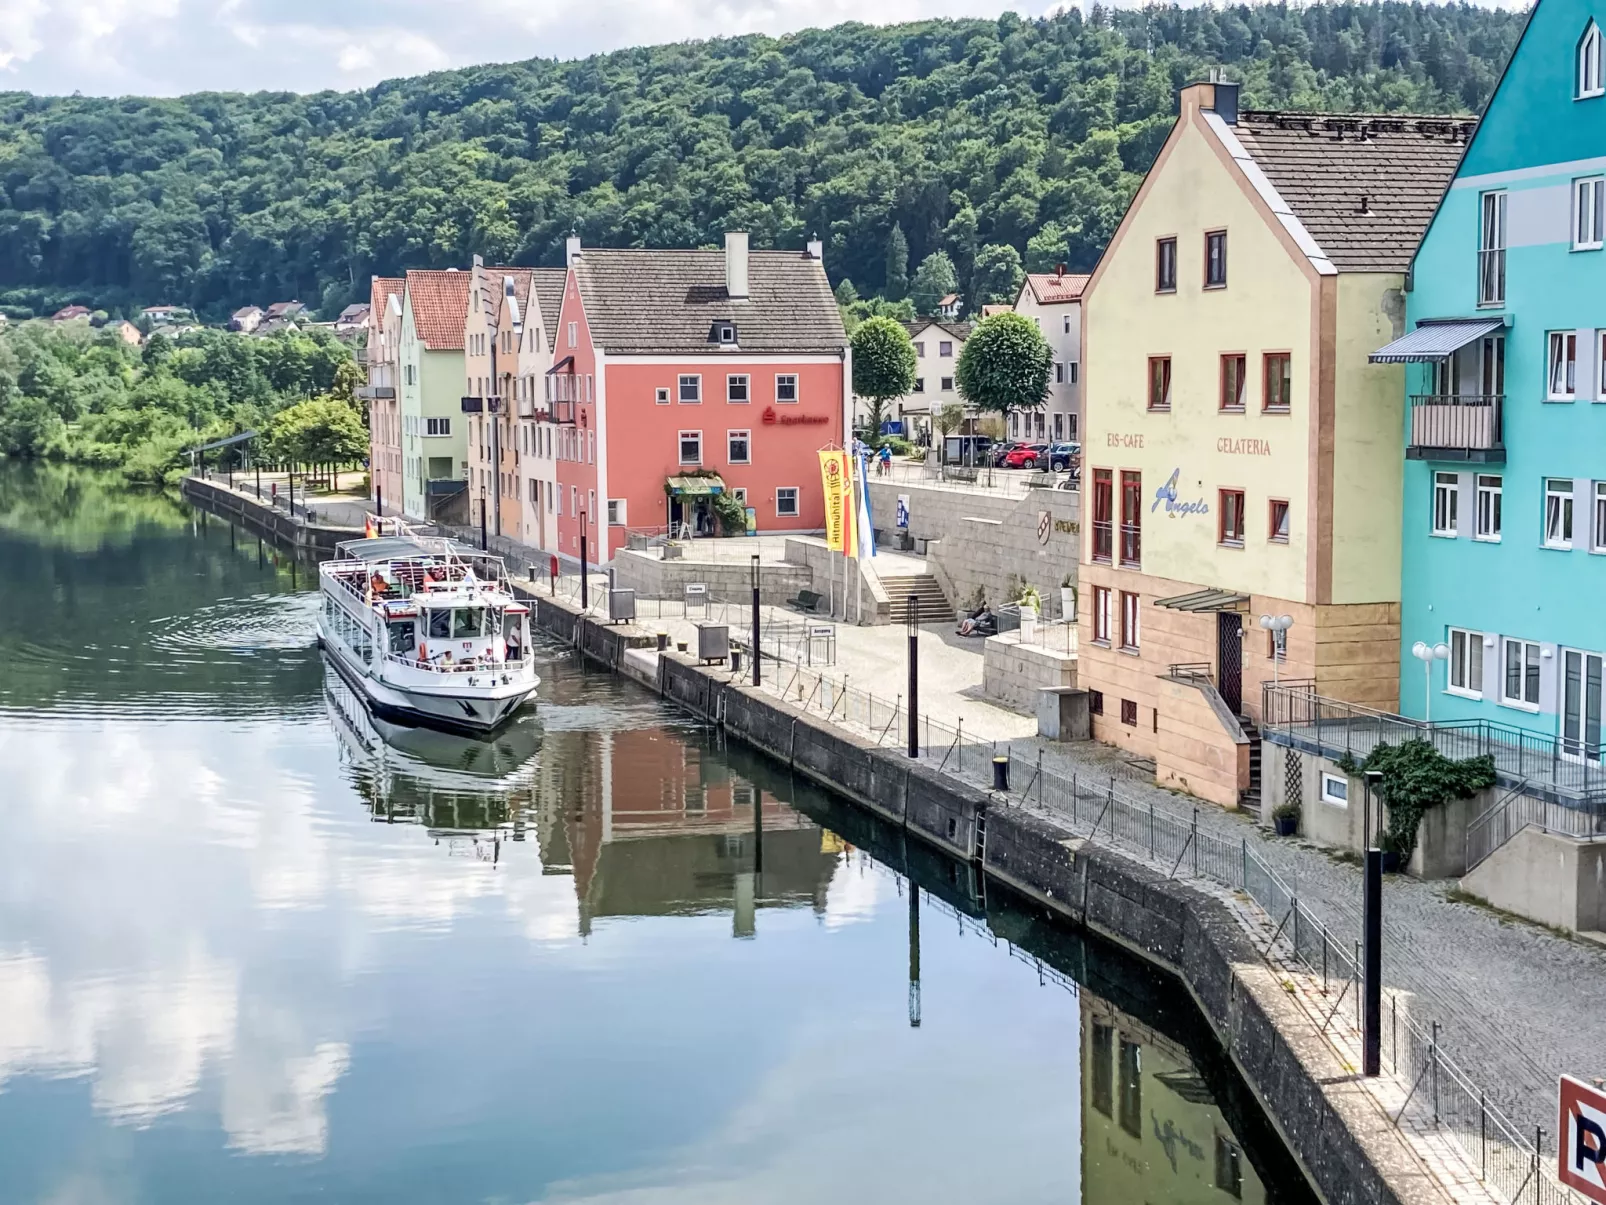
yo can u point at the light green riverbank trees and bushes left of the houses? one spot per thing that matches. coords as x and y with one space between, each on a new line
78 394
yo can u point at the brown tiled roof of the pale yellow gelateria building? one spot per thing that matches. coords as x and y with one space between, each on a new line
1364 186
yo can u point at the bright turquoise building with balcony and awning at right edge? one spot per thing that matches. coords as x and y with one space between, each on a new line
1506 351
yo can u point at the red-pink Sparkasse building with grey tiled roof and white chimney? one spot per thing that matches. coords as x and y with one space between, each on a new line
679 375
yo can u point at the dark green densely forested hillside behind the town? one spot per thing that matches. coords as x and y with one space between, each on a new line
955 136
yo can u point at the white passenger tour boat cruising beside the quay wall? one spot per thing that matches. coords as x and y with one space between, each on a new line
426 631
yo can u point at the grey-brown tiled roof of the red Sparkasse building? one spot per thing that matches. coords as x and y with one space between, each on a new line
642 303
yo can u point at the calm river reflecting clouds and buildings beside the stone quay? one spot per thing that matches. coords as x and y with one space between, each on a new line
258 949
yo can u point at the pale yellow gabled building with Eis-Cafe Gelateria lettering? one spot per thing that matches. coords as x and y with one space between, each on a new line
1242 455
